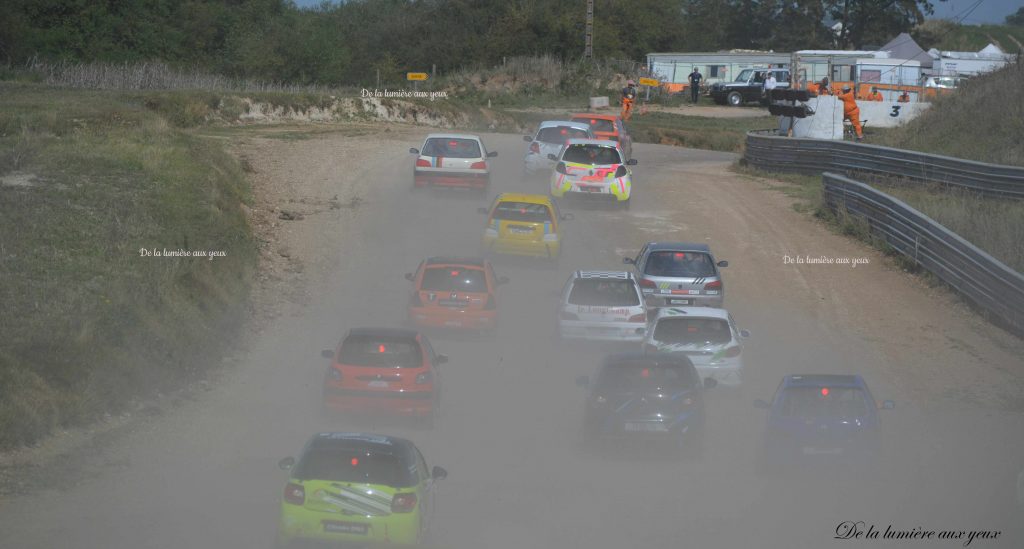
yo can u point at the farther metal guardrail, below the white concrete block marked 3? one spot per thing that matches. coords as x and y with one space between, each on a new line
774 153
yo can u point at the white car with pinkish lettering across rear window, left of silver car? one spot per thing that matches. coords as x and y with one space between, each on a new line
603 306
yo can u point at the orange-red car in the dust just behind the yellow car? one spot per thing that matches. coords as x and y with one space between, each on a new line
455 293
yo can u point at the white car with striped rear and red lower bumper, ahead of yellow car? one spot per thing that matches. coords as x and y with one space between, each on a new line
453 160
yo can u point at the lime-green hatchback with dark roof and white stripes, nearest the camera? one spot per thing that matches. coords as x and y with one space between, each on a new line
367 489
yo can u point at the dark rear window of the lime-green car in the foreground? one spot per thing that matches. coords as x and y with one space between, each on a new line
344 461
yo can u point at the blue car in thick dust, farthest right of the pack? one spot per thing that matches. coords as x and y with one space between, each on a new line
816 418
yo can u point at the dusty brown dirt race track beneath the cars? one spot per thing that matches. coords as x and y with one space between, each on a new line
204 475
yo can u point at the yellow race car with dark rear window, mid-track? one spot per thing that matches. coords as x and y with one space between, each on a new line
524 225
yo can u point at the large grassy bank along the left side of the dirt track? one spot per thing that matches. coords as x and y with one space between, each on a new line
93 186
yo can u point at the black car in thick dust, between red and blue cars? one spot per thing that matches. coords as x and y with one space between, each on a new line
647 397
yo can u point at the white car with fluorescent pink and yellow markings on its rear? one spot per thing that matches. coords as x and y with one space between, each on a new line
592 168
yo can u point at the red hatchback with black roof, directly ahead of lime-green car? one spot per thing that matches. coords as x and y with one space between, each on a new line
385 370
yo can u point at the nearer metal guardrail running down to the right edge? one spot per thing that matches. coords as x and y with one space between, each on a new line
979 277
